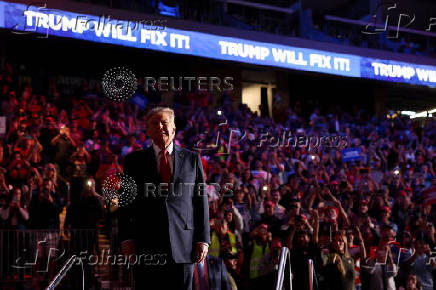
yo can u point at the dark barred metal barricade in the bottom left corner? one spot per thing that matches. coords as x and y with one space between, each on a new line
30 258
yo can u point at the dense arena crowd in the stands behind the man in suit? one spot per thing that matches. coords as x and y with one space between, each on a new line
365 222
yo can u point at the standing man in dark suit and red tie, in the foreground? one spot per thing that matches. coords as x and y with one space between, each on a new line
167 225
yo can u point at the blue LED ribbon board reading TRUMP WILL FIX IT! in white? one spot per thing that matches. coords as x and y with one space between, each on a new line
48 22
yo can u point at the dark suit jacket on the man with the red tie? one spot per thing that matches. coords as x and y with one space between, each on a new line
176 220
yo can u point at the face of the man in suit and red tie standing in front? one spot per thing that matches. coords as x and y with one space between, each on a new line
161 128
